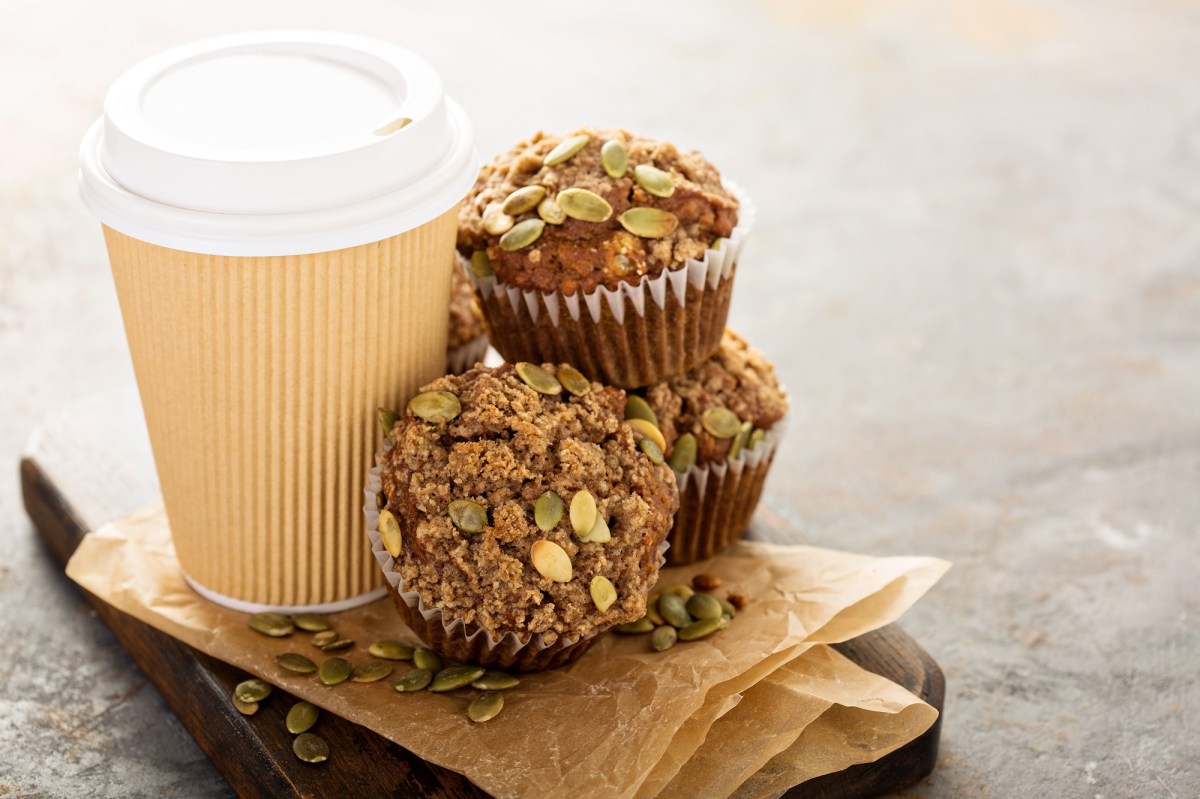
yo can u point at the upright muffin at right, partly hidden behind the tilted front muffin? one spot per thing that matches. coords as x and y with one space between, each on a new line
719 425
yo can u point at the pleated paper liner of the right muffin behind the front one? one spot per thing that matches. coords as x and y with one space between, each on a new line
718 501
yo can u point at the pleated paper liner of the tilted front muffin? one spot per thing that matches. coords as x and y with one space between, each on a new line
455 639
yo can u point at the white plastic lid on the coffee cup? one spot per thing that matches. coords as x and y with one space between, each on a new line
277 143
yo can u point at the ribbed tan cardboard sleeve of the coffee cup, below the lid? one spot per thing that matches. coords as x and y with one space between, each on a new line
261 379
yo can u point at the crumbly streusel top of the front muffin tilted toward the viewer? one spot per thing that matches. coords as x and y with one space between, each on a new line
467 478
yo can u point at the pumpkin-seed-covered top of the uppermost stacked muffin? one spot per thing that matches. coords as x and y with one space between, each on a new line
596 208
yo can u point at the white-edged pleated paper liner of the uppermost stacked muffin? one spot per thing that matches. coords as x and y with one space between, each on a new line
635 335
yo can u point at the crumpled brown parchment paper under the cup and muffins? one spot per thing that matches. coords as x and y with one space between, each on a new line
621 719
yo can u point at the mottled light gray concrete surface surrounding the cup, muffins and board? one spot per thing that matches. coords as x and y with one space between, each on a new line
977 266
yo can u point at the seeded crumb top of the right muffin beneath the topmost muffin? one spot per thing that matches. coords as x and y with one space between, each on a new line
727 405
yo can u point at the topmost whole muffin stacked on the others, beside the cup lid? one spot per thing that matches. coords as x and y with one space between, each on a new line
605 250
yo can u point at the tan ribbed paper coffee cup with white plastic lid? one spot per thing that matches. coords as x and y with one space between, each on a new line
279 211
